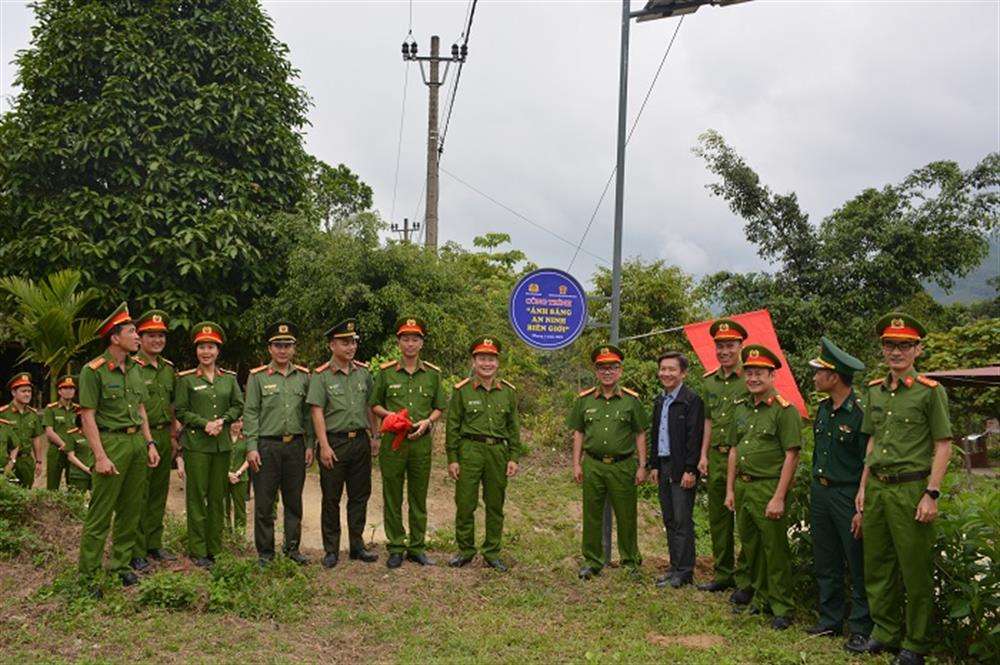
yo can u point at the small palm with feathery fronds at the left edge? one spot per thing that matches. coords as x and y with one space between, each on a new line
48 322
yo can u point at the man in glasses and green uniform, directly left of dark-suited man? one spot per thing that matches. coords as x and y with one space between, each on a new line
609 426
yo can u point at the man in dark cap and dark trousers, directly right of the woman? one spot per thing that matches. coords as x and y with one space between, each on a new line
278 429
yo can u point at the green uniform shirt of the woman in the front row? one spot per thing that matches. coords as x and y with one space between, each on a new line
199 401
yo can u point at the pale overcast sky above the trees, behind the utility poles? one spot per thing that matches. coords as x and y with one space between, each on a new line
821 98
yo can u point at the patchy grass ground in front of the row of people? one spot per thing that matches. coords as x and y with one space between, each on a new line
538 612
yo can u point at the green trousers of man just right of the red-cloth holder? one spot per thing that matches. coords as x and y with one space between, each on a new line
485 465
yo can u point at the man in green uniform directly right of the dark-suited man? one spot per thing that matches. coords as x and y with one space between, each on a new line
724 386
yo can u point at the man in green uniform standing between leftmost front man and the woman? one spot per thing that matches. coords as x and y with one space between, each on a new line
159 376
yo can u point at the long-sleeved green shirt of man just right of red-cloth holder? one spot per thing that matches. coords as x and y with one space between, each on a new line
475 410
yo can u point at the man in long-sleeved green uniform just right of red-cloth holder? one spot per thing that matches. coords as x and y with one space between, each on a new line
483 444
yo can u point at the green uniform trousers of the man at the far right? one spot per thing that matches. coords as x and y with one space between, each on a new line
899 563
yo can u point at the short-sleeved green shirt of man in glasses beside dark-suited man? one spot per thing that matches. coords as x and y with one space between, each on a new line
609 424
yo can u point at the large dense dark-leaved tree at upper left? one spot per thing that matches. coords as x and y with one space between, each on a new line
156 147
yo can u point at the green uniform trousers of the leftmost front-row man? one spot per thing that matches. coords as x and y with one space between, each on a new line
118 496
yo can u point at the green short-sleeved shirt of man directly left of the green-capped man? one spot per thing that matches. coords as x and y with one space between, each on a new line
762 433
